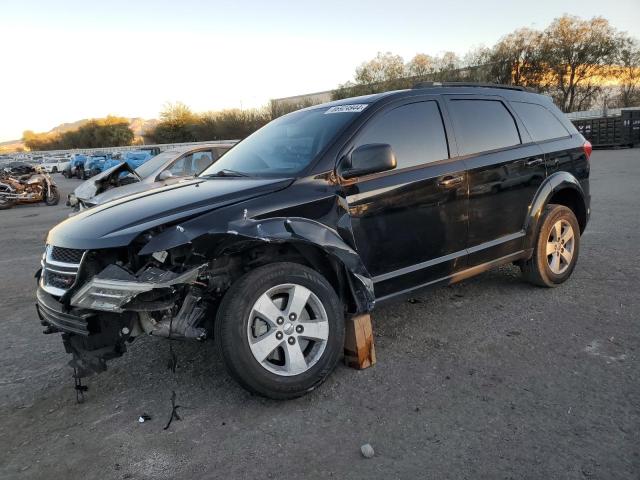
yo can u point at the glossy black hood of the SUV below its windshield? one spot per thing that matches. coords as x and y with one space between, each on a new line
118 222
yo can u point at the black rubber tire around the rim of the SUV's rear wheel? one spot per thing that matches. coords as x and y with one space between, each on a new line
553 214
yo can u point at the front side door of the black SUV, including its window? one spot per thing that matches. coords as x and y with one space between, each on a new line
410 223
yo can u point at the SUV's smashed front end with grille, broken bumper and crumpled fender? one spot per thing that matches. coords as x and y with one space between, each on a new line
169 280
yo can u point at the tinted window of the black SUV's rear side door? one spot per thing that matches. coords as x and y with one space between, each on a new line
482 125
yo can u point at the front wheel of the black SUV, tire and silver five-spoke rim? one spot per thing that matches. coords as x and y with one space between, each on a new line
238 330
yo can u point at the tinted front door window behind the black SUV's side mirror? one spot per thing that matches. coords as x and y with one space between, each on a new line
415 133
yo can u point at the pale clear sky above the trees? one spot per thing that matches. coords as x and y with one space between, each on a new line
65 60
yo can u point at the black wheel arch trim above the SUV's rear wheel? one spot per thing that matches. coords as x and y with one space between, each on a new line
560 188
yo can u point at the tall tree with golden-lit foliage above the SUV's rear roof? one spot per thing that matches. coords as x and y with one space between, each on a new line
575 54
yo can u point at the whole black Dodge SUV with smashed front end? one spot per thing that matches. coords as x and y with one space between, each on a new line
322 213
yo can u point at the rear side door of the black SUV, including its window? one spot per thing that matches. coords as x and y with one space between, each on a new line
505 169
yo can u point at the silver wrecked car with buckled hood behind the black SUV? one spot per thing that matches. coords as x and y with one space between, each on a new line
166 168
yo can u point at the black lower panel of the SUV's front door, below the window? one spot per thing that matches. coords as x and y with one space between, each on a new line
403 220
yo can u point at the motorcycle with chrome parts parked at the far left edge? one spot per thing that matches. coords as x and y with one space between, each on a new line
23 183
